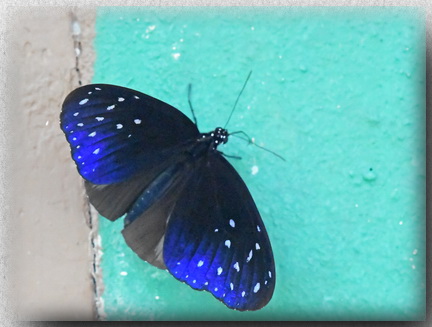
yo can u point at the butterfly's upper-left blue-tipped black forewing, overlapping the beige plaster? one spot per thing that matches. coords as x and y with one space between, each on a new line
115 132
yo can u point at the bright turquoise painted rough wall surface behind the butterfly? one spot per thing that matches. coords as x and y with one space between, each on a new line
341 95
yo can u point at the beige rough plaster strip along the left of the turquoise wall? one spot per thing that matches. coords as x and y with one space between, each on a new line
52 276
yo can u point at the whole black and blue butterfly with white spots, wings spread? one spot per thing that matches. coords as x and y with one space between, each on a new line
187 209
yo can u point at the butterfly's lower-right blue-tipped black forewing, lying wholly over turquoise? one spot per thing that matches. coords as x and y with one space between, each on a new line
216 241
